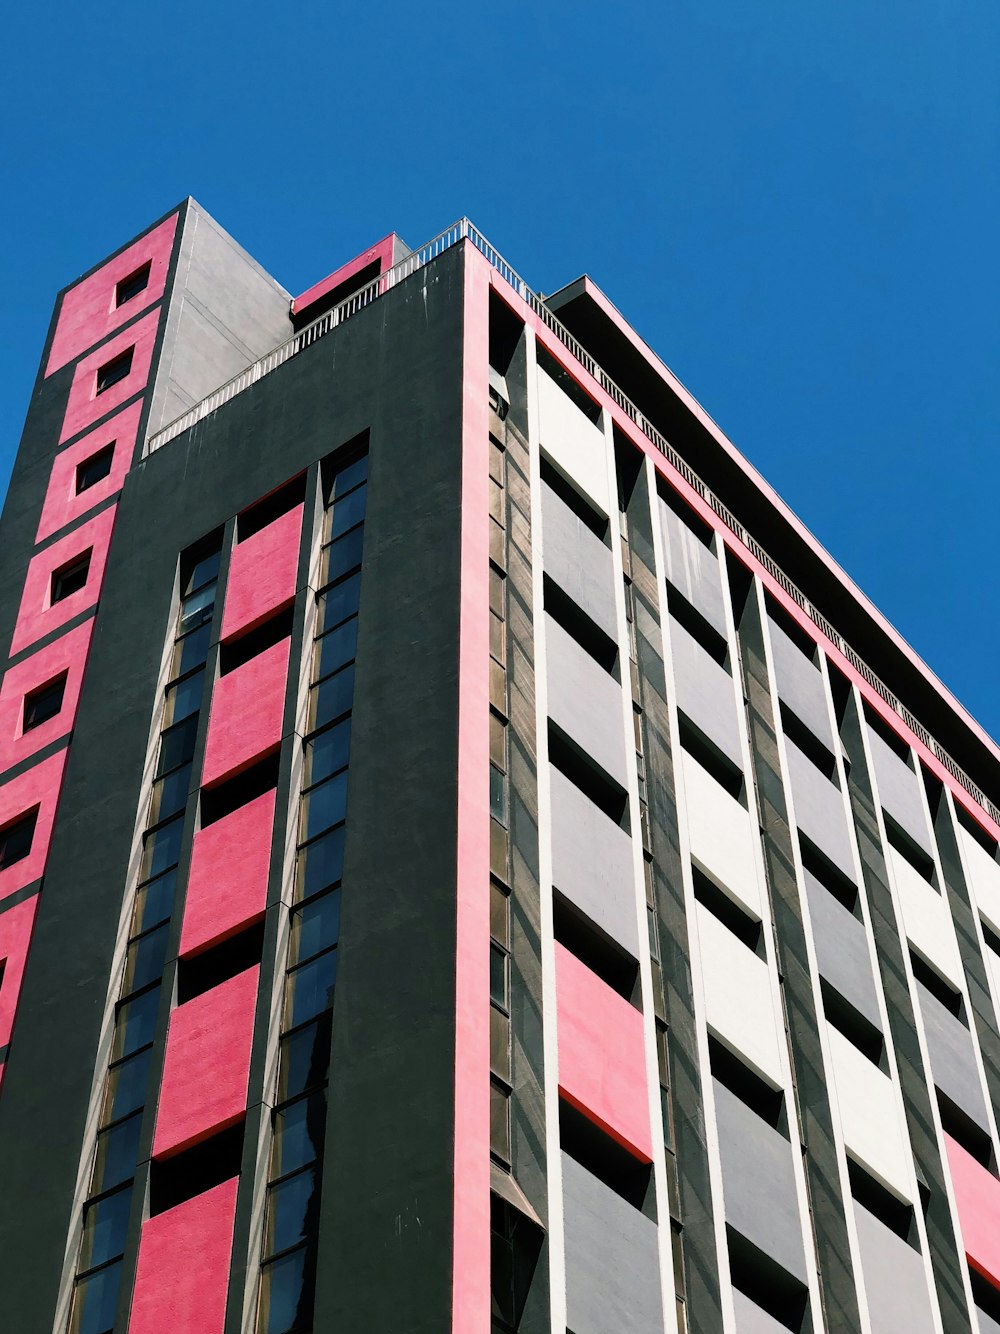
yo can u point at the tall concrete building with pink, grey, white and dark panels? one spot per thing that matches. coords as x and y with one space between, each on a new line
470 861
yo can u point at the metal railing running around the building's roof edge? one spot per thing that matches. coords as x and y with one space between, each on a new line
421 258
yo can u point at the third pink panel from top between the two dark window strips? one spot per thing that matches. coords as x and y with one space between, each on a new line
229 878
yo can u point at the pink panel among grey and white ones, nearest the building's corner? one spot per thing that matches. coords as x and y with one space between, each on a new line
602 1056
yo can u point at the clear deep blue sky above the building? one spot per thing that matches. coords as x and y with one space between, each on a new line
795 202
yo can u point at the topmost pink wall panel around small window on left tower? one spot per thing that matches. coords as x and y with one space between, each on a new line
90 313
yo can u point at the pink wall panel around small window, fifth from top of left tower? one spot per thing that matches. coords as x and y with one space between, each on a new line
69 654
